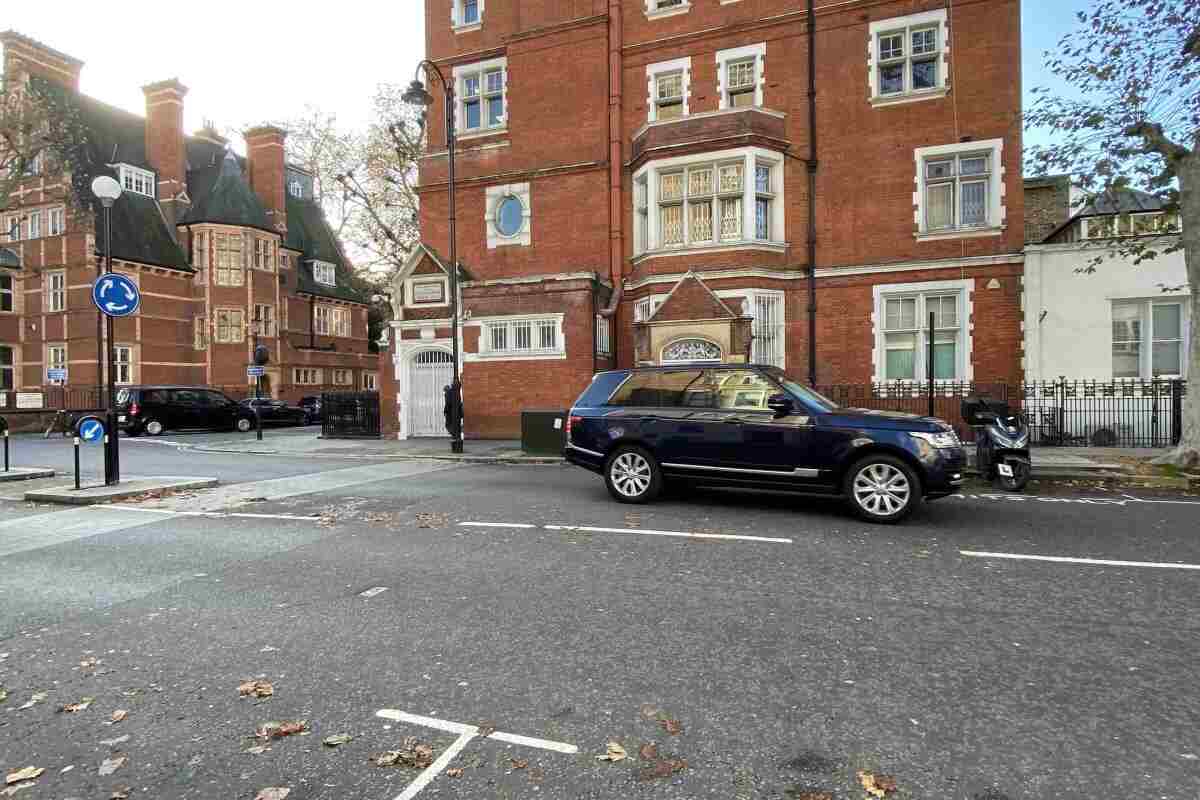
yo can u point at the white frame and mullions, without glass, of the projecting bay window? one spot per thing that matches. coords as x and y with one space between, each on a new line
749 158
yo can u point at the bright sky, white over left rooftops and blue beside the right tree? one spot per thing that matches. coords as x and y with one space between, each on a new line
251 62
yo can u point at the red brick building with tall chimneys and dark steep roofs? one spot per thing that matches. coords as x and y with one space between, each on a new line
225 250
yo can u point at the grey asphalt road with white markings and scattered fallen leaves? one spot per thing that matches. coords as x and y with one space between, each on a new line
781 648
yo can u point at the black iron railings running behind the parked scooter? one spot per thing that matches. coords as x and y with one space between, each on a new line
1061 413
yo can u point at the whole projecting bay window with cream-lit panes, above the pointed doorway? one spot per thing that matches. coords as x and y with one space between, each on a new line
728 199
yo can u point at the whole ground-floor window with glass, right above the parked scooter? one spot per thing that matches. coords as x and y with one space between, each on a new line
905 332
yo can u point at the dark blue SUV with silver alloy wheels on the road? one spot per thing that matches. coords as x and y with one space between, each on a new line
749 426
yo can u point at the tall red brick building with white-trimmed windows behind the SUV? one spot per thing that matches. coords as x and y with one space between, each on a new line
647 182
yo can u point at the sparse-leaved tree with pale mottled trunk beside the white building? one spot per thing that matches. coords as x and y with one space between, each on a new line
1132 121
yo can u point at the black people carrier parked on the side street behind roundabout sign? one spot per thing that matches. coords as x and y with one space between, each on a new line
155 410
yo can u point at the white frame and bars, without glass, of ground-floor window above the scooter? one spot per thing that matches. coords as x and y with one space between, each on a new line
963 290
